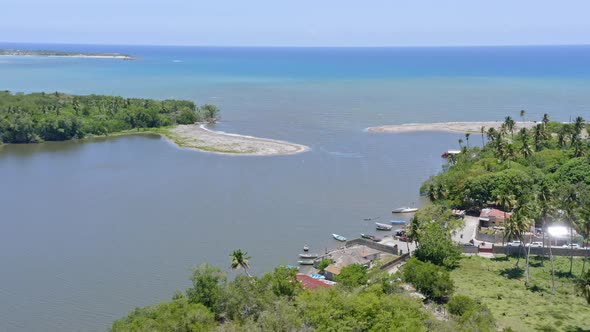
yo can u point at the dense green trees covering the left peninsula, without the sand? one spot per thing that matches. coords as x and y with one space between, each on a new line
37 117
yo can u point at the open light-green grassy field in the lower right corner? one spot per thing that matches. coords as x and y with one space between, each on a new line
500 286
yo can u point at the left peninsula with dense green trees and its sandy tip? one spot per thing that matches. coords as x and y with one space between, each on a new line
38 117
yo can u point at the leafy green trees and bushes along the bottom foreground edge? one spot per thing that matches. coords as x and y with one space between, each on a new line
366 300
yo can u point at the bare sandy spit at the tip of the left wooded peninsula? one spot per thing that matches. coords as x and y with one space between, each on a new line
199 137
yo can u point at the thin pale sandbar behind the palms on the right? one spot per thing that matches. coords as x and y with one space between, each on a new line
452 127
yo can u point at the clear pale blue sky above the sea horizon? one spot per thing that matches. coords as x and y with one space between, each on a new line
297 22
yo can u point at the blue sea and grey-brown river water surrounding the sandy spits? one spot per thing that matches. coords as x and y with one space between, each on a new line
89 230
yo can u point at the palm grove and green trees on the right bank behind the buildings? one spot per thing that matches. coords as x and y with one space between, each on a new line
541 175
